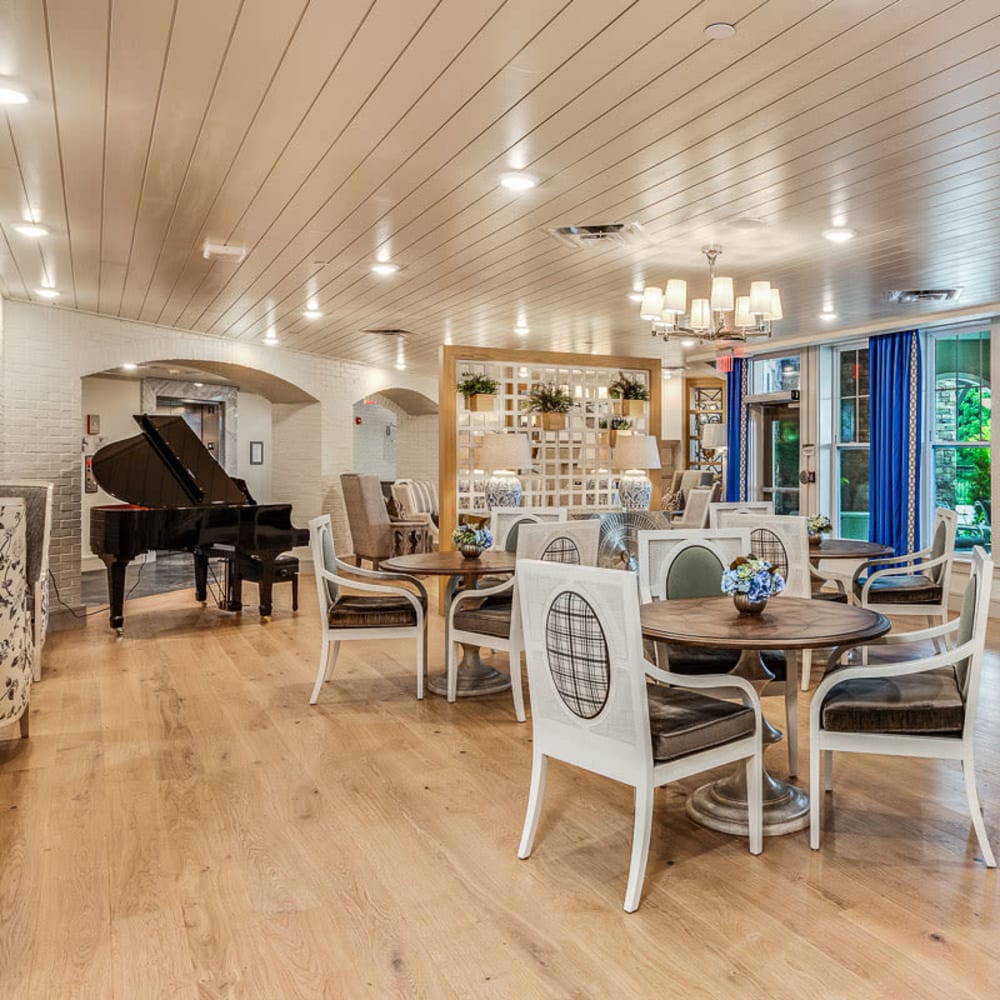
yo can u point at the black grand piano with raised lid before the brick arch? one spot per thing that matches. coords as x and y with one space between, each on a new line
179 497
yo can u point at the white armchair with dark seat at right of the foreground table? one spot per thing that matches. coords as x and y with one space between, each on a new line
923 707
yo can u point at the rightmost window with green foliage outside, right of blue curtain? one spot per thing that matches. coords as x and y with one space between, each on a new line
961 432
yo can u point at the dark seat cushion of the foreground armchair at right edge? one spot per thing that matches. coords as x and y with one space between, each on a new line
929 702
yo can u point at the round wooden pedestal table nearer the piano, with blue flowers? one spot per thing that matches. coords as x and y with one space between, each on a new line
474 676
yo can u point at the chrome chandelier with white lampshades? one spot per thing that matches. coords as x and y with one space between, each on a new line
719 317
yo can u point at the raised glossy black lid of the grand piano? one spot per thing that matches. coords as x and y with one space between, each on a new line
165 466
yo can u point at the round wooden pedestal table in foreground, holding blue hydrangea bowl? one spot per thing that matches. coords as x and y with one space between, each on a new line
787 623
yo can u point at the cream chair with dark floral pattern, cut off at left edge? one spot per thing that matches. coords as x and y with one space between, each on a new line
15 620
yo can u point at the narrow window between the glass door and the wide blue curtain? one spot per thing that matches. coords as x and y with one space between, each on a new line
853 429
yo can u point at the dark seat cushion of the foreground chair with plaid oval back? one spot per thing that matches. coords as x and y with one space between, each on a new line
682 722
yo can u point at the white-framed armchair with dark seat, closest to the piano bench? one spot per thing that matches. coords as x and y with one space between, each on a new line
356 603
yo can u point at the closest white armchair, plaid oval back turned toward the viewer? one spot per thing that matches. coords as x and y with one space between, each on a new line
592 705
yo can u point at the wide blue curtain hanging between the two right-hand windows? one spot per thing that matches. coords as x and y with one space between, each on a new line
895 374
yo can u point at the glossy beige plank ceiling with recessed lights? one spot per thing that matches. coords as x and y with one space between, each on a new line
323 135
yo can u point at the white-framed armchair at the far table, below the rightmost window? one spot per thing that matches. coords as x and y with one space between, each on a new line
913 584
